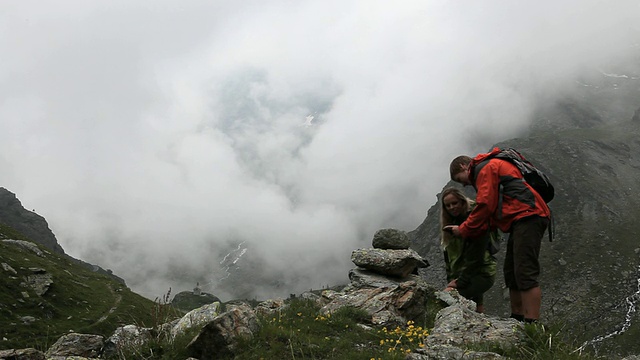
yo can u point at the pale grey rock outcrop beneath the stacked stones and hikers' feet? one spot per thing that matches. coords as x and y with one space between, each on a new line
392 301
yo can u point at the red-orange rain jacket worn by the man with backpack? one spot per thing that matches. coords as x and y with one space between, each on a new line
502 196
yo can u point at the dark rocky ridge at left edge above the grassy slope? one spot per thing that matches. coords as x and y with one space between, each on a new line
30 224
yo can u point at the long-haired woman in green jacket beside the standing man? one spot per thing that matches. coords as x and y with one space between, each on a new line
471 268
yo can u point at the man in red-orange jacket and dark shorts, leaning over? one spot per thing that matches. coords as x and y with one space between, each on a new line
507 202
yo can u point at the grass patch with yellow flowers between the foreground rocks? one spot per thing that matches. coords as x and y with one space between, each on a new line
301 332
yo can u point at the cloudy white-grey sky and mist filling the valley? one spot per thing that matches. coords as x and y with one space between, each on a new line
149 132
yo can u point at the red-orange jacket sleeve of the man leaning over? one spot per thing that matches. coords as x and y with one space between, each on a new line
487 186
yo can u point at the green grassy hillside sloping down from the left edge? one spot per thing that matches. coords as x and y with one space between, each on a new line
78 300
